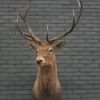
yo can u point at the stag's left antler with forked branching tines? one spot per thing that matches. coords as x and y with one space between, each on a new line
27 35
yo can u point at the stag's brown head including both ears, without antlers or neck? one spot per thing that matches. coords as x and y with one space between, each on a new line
45 53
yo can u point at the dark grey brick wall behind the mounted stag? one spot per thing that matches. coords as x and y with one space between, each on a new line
79 61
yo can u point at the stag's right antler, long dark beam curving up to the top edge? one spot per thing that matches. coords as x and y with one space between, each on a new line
74 23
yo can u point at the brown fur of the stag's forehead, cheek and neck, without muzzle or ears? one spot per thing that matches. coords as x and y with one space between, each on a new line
47 85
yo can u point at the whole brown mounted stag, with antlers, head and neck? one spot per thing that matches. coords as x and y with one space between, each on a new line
46 53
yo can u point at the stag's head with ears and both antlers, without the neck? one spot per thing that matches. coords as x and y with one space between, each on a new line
47 46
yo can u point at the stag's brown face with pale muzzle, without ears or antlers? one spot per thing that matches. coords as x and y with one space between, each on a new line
45 54
